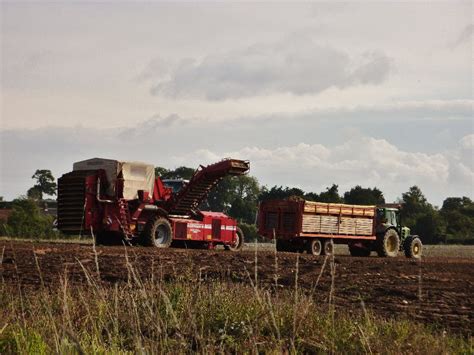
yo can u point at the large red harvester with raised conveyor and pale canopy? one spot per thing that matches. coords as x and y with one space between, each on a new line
117 201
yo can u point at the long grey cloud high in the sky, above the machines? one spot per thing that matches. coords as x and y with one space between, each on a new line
297 65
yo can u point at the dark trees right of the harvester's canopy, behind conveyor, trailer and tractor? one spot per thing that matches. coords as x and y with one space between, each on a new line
239 198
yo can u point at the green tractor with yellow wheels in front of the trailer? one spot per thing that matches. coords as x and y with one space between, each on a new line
392 236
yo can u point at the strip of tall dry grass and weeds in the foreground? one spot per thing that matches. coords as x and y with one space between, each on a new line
192 316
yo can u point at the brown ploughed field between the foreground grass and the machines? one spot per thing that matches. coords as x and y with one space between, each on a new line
437 290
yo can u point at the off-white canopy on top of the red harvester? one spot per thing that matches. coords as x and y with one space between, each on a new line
136 175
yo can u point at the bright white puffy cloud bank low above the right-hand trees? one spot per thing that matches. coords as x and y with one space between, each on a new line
365 161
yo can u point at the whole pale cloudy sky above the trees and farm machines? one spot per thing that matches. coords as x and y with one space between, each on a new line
377 94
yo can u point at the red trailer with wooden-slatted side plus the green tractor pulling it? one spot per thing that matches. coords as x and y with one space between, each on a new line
299 225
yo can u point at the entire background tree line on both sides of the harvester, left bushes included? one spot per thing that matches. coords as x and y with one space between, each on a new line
239 197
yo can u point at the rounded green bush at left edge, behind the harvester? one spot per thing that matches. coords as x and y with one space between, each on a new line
27 220
